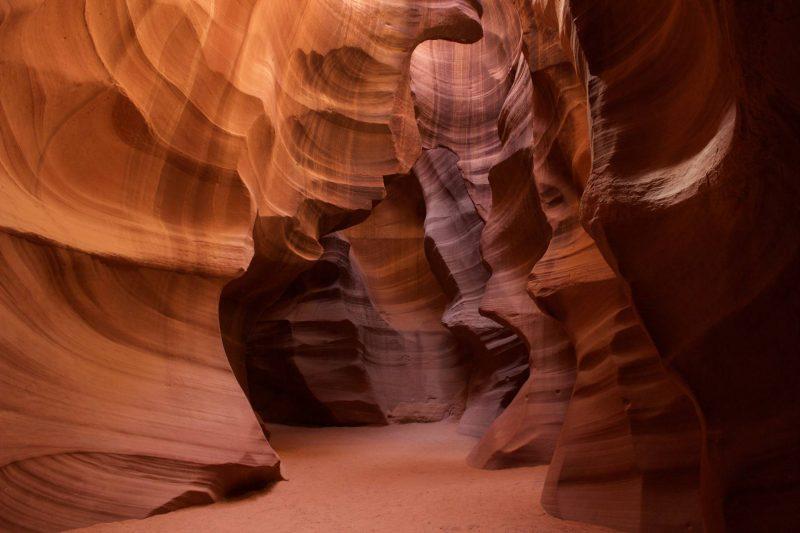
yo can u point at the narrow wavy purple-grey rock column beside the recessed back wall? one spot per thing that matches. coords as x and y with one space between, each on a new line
452 232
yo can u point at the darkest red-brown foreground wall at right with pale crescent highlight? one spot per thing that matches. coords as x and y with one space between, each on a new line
694 200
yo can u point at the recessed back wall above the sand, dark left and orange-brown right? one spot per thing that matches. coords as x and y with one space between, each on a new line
358 338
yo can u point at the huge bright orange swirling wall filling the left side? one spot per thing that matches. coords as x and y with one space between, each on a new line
142 143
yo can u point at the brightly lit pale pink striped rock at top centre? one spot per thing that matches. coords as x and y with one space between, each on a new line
459 91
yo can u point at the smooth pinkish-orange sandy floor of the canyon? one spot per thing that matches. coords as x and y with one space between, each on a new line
399 478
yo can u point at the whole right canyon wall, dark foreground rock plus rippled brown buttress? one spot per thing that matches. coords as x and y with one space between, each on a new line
681 299
